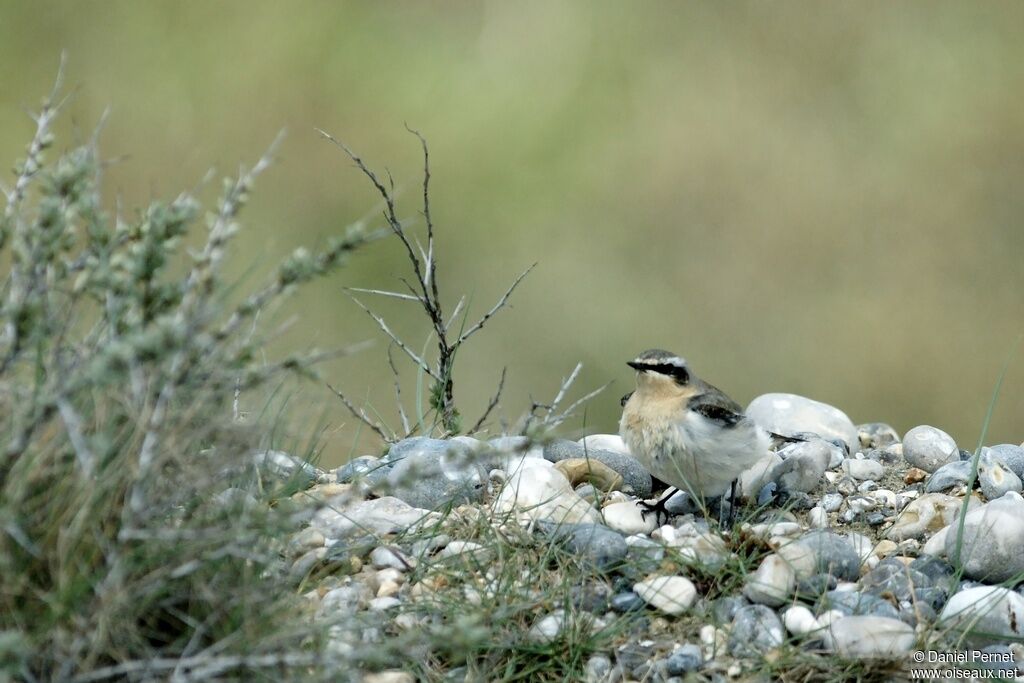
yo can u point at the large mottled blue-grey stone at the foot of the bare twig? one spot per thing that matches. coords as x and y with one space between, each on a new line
436 474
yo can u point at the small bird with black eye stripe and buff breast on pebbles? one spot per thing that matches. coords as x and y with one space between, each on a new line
688 433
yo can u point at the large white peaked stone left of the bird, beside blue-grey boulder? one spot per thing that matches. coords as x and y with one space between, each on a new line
543 493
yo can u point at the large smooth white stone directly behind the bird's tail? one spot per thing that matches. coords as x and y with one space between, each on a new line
789 415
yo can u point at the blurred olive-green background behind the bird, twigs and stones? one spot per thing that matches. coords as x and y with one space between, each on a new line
823 199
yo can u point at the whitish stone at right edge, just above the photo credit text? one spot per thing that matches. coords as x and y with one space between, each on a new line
986 615
